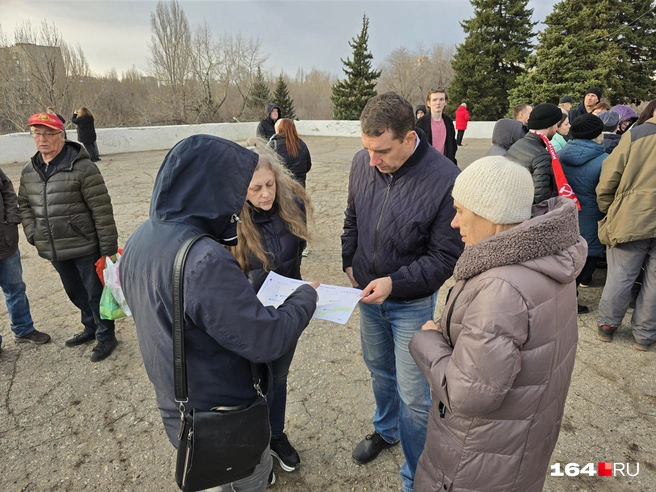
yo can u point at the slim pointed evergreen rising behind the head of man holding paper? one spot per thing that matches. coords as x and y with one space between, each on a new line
349 96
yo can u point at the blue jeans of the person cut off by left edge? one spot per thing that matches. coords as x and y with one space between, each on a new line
13 287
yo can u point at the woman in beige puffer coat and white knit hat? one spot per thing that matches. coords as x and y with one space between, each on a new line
500 369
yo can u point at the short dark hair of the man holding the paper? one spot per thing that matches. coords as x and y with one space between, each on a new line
387 111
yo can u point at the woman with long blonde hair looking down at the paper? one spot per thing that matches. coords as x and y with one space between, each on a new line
270 237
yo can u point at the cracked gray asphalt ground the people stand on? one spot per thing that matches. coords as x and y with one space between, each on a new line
67 424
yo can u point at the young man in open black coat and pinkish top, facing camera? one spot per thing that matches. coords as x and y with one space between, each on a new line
437 126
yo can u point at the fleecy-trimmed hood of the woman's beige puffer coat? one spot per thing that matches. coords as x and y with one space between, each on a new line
547 243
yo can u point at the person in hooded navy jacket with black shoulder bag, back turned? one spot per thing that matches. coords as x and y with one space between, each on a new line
200 189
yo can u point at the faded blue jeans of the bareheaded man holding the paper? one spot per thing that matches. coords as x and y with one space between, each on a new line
401 392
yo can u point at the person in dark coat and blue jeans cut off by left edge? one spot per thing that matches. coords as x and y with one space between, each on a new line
11 271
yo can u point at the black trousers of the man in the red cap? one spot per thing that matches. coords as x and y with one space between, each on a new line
84 289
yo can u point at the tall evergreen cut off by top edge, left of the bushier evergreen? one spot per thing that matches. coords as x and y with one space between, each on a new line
492 56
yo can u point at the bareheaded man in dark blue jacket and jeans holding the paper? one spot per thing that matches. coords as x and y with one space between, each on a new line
398 247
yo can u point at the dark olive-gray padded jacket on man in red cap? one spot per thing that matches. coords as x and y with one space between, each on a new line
70 214
